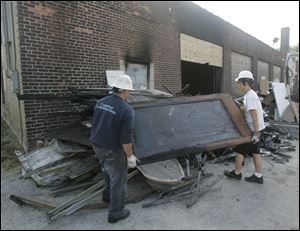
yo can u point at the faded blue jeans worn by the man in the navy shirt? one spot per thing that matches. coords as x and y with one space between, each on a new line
114 169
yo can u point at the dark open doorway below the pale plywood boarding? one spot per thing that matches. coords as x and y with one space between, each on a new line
203 79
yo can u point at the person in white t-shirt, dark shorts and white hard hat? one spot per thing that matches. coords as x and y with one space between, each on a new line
254 117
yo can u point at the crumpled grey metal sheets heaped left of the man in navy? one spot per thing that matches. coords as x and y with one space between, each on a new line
59 163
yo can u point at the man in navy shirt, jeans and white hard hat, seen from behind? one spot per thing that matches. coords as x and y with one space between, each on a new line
111 136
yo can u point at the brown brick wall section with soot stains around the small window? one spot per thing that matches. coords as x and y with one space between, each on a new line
68 43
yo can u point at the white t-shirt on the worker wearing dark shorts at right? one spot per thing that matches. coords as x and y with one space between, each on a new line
251 101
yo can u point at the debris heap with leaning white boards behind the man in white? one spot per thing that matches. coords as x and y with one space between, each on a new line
281 119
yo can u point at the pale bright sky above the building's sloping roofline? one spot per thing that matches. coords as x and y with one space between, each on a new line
261 19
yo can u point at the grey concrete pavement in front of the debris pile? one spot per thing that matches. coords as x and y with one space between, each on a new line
238 205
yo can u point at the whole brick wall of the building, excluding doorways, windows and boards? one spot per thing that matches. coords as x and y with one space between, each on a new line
73 43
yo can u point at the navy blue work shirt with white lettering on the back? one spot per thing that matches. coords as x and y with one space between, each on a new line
112 123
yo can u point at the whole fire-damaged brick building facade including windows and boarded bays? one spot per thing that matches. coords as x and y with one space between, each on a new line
49 46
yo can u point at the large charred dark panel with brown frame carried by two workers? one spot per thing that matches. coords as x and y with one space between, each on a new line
174 127
